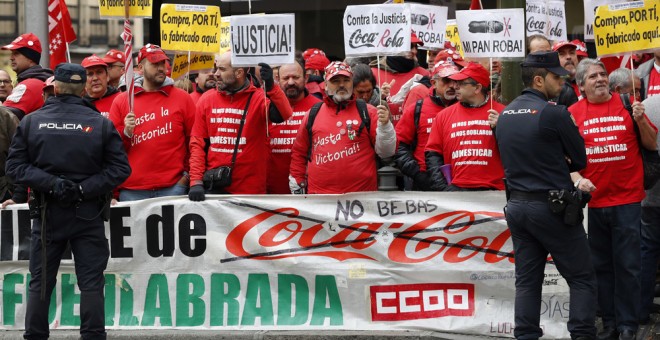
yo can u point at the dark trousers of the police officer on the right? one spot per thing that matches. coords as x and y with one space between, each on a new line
537 232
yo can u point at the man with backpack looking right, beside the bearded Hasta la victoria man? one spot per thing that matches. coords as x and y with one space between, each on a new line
415 125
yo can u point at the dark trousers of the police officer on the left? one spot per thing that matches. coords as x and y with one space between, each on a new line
90 253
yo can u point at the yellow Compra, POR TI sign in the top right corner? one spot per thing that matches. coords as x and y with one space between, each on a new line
626 27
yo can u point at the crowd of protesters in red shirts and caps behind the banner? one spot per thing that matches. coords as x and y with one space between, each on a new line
322 126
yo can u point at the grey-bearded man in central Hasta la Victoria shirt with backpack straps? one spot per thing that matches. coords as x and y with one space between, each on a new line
342 149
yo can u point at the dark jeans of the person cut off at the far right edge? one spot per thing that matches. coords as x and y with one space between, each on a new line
650 256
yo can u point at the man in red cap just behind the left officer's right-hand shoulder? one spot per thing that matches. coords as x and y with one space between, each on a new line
97 89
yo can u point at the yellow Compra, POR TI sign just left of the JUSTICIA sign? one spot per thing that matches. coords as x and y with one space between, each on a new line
193 28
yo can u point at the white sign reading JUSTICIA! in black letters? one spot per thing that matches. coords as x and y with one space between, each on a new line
266 38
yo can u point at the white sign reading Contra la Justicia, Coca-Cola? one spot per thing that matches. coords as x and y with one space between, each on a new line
370 30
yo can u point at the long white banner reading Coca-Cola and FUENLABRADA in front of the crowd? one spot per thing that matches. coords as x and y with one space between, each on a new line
369 261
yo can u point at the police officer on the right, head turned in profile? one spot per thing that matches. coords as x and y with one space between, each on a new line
540 146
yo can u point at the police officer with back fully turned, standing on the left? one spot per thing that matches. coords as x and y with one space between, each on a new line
71 158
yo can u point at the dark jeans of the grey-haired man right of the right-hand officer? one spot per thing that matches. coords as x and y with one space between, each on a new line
614 239
